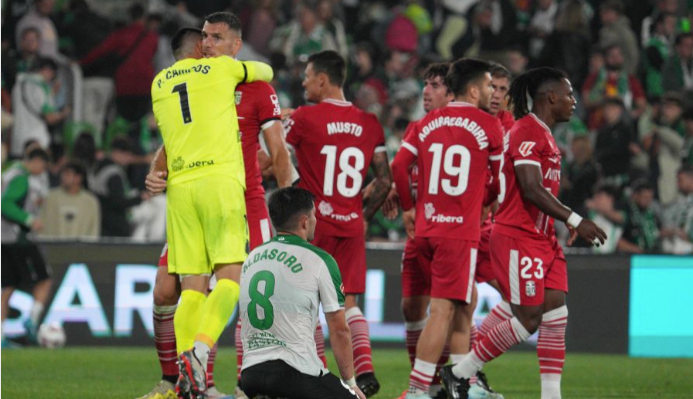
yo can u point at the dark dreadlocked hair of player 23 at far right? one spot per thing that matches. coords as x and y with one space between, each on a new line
527 84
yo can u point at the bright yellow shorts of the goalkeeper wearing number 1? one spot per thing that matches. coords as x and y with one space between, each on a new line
205 224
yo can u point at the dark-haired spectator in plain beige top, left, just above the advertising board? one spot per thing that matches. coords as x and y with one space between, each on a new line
70 211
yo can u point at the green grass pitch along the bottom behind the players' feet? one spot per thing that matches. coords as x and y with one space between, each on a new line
126 373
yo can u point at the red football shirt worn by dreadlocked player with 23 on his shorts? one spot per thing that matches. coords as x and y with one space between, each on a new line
530 142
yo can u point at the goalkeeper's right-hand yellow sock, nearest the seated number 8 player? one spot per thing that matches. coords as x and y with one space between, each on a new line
216 311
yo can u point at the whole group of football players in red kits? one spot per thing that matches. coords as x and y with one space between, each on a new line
467 162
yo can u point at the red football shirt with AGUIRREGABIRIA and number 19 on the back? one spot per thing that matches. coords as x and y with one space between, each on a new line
453 147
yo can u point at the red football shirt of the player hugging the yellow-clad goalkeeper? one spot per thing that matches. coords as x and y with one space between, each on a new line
257 107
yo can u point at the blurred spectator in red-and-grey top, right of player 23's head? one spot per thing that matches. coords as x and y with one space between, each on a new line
612 80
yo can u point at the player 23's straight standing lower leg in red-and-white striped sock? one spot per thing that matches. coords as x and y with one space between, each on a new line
551 343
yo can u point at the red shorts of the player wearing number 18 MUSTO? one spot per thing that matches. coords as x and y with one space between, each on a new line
350 254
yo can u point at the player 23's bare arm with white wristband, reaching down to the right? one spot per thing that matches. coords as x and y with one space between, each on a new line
530 180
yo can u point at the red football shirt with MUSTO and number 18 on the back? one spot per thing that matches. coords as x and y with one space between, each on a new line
334 143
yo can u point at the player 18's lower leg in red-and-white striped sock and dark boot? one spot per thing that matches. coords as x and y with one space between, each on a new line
361 343
